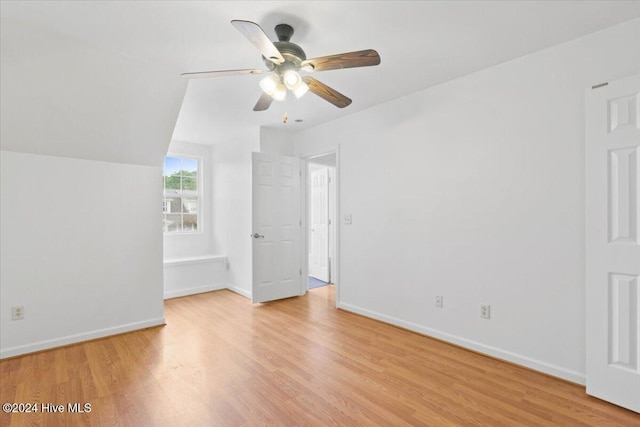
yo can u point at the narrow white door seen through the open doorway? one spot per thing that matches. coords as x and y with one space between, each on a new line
319 224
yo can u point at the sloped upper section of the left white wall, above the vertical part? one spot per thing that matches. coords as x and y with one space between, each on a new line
64 98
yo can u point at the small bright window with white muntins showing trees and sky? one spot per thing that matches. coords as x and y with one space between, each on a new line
181 194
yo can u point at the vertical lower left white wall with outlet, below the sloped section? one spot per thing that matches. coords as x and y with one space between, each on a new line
81 250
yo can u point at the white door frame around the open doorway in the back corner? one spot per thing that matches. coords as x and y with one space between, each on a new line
304 200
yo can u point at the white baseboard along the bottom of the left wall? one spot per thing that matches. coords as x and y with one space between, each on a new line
74 339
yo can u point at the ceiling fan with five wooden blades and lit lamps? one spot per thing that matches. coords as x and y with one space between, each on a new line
284 61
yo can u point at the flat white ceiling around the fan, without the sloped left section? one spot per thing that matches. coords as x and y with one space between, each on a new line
421 44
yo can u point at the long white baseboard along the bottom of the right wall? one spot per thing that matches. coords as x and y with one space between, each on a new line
518 359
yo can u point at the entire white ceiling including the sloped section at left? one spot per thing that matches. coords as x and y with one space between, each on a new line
101 79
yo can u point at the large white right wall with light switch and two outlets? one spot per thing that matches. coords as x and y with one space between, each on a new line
474 190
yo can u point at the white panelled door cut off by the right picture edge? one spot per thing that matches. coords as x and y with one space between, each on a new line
613 242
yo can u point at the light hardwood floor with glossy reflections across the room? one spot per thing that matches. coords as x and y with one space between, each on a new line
220 361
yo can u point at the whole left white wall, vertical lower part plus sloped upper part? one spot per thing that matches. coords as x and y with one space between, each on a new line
83 131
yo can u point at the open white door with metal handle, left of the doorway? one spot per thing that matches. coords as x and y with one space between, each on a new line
277 226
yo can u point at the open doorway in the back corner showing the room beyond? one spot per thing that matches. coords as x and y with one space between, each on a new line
321 220
